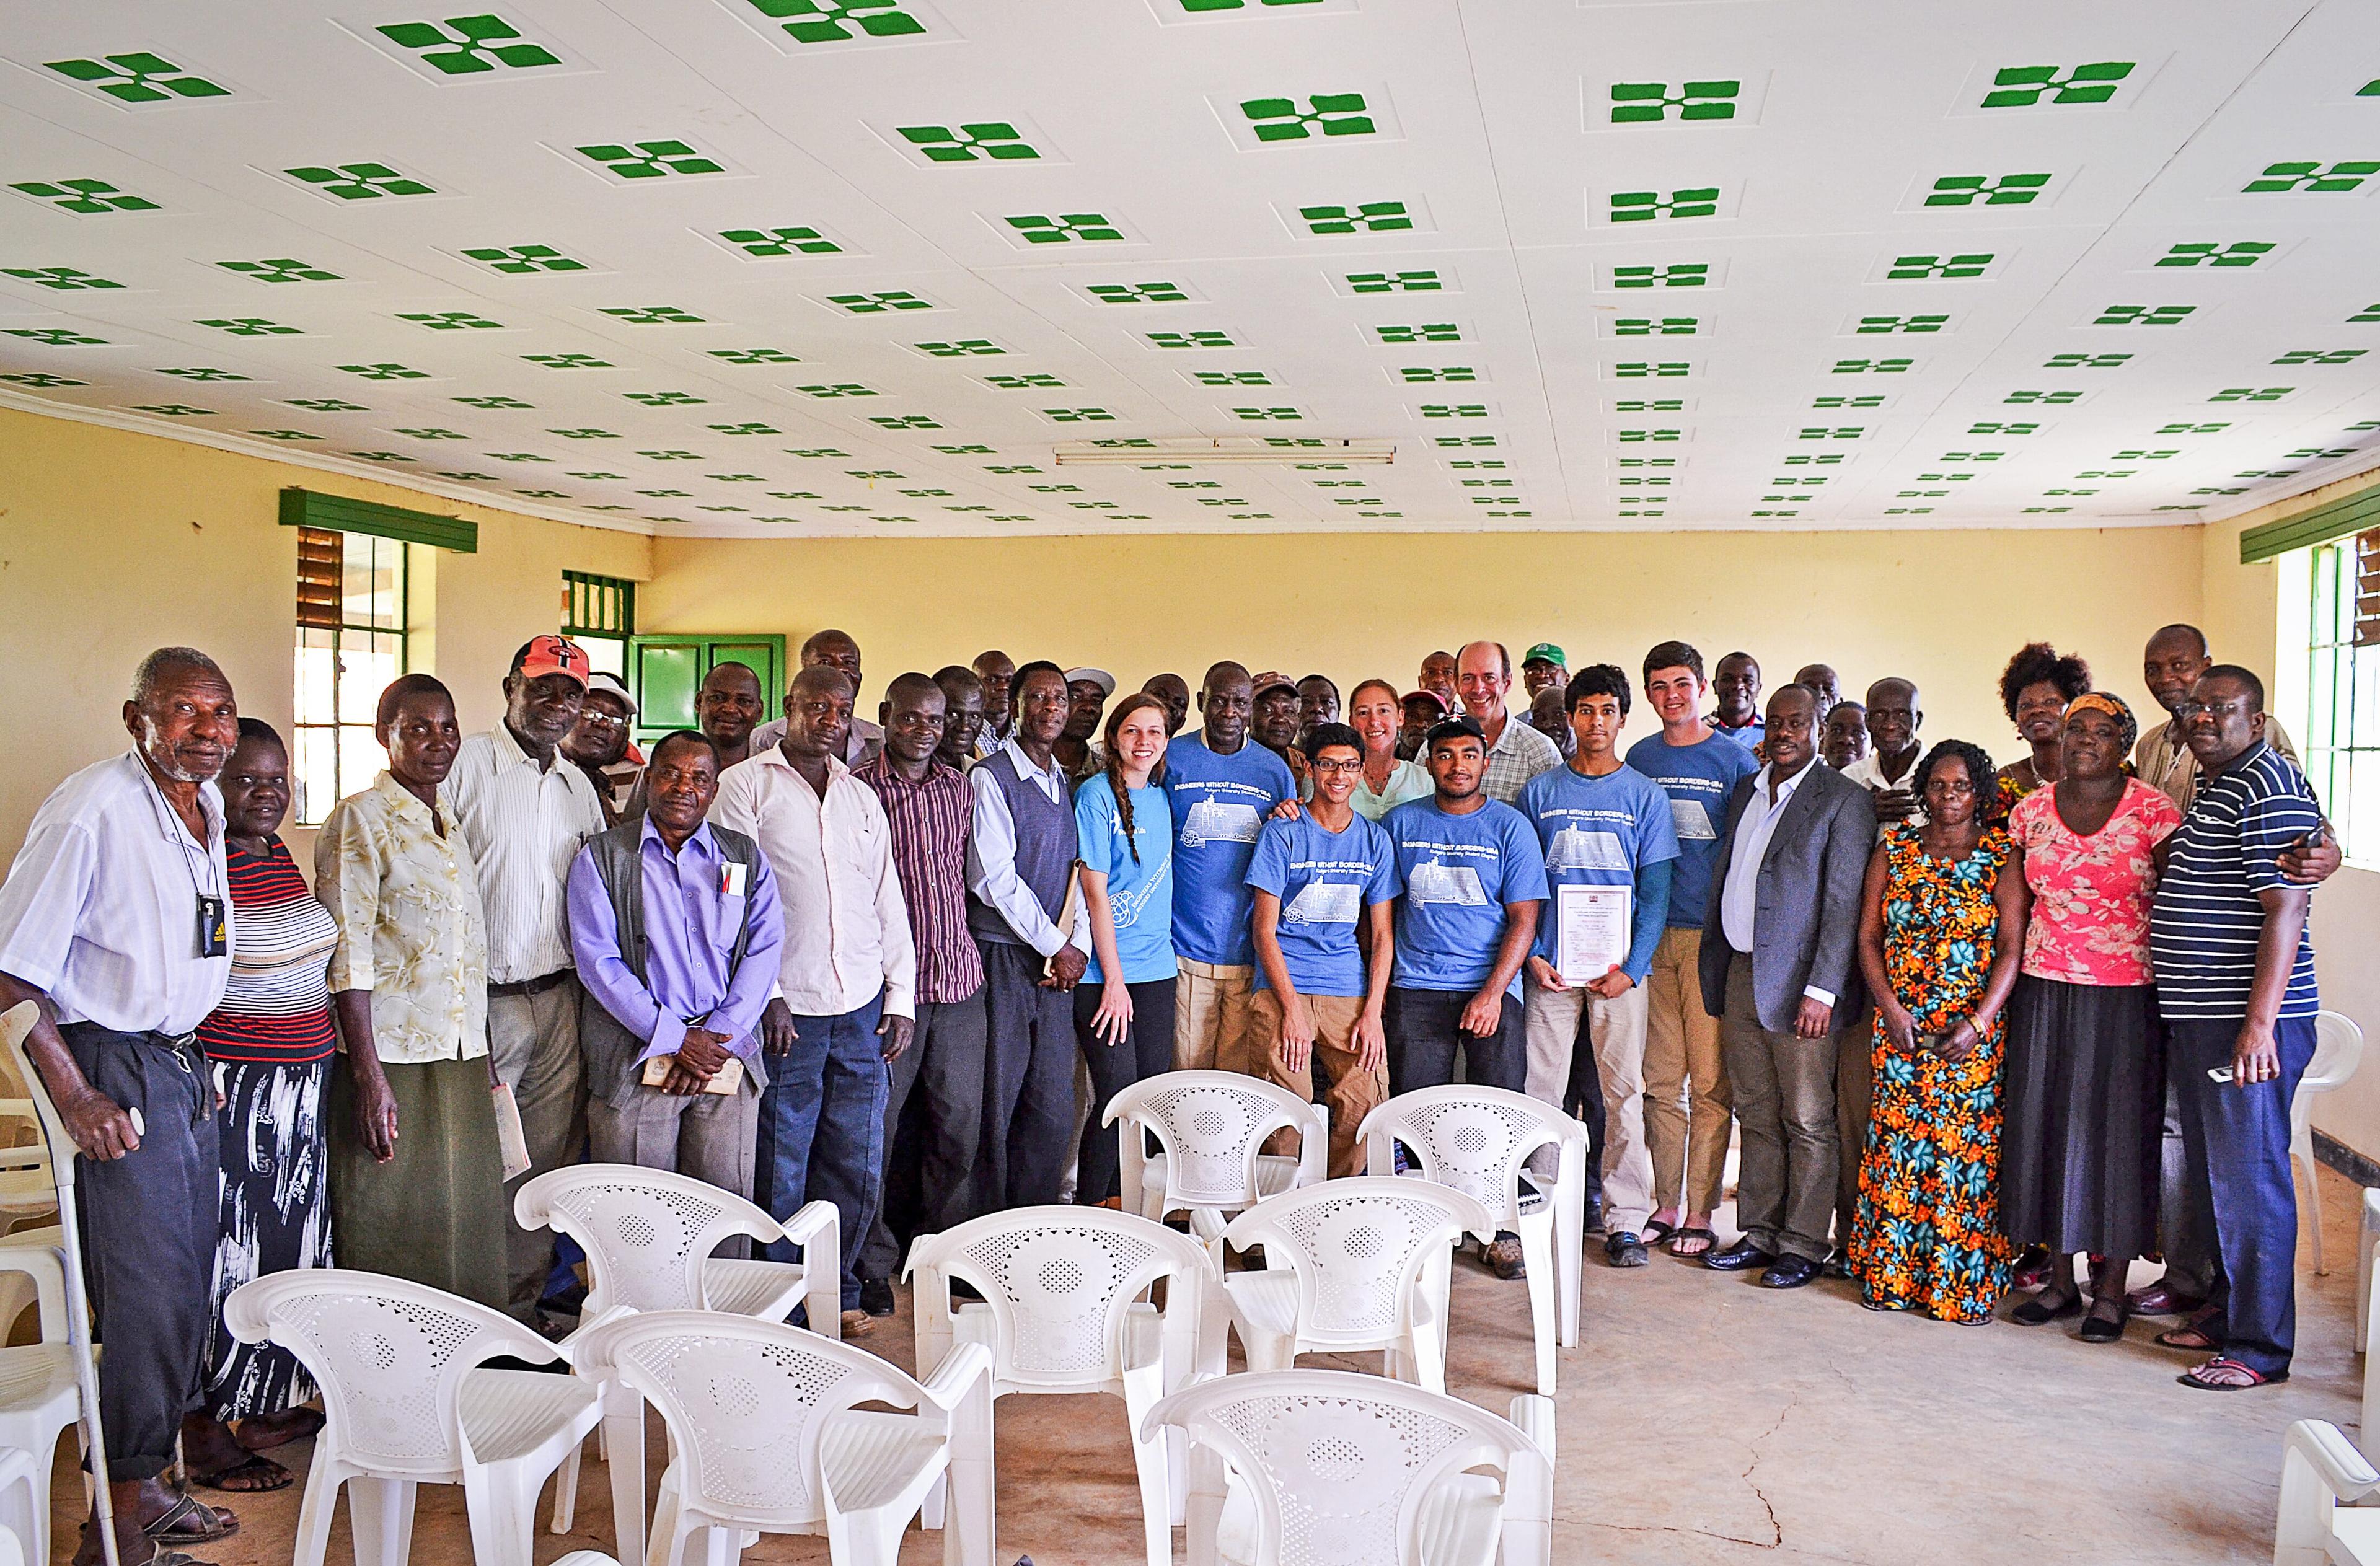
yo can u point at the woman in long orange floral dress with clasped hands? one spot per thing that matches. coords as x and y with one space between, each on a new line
1939 941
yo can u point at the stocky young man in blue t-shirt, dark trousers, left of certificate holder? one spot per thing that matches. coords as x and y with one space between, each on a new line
1472 879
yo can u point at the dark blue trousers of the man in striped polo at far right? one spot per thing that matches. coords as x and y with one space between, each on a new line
2238 1146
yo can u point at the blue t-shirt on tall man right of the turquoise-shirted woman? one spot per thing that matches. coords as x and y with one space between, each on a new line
1220 806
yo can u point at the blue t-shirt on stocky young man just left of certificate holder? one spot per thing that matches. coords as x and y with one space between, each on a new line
1458 875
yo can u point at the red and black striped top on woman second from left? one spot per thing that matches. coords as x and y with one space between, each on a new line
277 1008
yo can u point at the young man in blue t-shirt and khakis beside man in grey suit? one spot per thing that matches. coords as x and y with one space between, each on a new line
1698 770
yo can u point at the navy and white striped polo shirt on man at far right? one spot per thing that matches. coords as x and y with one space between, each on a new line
2205 927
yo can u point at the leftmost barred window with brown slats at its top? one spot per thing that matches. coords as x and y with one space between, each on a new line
351 644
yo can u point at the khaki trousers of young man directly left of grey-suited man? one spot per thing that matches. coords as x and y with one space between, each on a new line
1686 1079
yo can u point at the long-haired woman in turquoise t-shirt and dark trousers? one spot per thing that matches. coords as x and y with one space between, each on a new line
1125 1003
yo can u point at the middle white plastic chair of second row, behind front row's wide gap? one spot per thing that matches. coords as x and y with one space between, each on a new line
1063 1313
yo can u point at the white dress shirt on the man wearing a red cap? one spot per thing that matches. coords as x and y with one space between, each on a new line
525 829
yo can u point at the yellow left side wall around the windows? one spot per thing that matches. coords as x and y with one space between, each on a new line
113 544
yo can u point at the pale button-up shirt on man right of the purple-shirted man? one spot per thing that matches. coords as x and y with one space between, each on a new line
846 922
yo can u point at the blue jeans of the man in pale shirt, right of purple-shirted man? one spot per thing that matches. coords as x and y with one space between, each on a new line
822 1132
